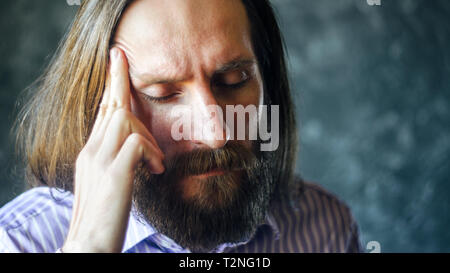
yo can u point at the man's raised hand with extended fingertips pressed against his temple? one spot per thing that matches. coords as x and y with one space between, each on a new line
104 172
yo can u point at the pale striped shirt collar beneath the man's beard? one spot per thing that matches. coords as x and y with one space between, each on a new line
139 230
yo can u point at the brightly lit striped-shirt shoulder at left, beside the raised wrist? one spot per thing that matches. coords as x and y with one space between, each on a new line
35 221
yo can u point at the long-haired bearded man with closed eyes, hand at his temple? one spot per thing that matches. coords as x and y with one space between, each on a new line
100 141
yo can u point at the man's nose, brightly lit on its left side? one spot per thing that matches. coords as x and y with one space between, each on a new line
209 127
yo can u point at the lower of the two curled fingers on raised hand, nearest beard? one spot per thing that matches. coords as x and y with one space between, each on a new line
135 149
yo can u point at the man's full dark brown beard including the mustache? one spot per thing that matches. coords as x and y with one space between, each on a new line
225 208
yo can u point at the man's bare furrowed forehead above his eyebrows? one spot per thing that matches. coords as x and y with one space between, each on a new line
206 43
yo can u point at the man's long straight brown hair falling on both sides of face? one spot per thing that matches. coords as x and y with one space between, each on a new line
53 126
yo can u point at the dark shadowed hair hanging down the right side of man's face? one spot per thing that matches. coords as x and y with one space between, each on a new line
269 48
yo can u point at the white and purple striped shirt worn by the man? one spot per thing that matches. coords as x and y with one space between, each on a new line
38 221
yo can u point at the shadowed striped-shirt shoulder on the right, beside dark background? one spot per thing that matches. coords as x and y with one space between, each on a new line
318 221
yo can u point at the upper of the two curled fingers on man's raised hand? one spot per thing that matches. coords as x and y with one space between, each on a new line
122 124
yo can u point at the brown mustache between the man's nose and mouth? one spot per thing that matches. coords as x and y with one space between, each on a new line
232 157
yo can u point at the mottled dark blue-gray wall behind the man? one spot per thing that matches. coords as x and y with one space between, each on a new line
372 88
